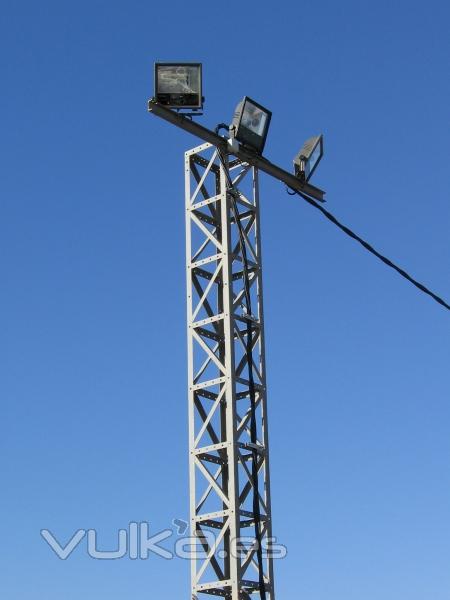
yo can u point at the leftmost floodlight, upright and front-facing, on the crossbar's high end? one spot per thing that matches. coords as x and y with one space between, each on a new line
179 85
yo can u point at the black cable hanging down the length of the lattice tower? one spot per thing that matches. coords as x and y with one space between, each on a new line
251 381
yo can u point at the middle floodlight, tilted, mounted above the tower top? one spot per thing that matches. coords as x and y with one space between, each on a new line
251 124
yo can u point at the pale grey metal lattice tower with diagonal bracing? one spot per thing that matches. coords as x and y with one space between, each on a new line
221 480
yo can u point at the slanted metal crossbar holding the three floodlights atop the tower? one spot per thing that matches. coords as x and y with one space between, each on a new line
243 154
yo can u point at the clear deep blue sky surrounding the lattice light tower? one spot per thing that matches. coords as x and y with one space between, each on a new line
93 352
